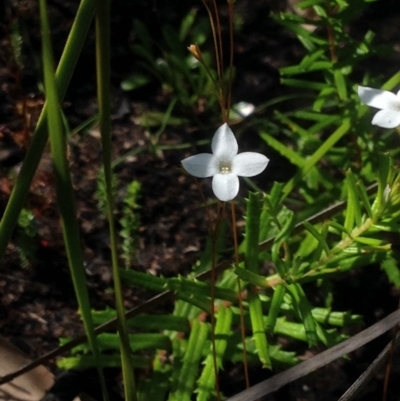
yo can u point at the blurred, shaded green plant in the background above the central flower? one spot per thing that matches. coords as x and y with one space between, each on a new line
167 61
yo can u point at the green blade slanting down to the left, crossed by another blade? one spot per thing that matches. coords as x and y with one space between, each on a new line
64 73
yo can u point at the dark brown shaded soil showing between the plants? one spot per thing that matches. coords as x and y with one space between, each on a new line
37 303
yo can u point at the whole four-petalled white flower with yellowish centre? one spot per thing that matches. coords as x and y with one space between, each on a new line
225 164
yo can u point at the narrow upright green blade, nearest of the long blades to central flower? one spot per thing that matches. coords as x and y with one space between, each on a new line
103 88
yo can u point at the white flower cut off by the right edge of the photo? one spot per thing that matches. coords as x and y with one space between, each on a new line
387 102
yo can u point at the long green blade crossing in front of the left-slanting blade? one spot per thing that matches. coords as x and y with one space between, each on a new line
65 195
